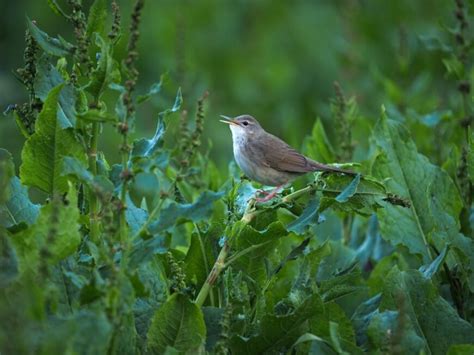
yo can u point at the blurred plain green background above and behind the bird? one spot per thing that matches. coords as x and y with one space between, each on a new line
276 60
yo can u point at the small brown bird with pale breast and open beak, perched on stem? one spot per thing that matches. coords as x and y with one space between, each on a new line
266 158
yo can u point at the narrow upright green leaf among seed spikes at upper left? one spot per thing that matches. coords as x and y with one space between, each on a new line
106 71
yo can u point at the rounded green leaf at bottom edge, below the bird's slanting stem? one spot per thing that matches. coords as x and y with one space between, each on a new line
178 323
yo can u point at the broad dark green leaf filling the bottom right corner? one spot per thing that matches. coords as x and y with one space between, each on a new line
433 318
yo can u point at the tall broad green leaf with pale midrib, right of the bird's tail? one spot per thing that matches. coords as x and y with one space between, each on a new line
410 174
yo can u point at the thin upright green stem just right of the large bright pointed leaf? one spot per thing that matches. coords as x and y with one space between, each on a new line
93 200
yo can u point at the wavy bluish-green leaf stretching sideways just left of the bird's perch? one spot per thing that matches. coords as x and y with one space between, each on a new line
195 212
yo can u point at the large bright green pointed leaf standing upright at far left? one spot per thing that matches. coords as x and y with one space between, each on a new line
43 152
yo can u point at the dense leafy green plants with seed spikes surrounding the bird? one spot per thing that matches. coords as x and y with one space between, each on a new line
164 252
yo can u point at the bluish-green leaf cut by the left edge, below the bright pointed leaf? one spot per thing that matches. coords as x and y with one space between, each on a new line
18 208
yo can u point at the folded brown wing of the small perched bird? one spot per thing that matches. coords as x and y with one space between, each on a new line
278 155
